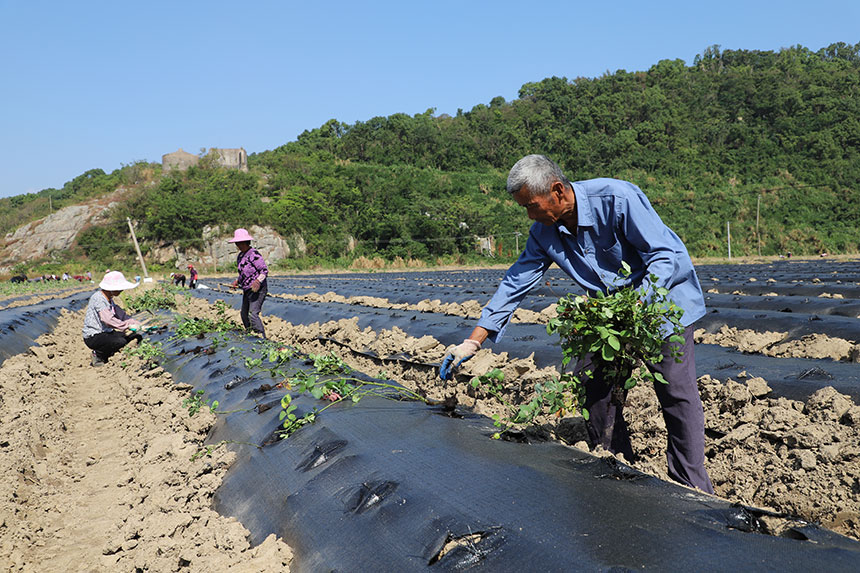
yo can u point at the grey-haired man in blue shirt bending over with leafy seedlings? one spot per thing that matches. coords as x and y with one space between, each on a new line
588 228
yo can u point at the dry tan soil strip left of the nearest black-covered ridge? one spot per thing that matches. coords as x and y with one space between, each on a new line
96 473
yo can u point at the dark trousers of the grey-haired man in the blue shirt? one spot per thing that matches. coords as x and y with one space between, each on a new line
682 413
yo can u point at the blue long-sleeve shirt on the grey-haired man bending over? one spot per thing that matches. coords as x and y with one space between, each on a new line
615 223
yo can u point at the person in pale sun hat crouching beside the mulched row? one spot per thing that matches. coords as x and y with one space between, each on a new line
105 321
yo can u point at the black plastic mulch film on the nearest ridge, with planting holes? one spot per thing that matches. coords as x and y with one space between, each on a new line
401 486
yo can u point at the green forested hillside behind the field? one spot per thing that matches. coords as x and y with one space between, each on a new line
738 136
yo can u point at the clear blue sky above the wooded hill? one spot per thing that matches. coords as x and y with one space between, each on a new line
91 84
